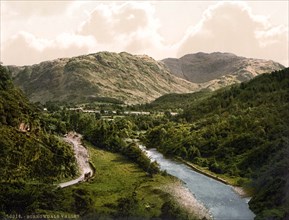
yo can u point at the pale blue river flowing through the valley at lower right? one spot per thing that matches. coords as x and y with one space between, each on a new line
220 199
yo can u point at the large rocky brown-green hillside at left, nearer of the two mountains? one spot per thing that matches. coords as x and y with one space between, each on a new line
132 79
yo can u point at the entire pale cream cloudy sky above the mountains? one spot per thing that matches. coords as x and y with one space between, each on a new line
36 31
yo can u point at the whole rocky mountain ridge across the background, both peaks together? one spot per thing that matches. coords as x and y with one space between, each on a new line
133 79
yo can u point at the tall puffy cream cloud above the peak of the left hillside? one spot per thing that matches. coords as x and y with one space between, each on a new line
130 26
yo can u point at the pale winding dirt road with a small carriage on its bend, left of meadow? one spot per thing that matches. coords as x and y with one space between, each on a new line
82 157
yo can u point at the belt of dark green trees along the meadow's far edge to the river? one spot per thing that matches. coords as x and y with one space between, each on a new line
106 134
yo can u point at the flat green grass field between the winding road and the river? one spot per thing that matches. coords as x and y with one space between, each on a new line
120 187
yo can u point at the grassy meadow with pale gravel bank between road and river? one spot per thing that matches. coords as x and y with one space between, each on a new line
117 177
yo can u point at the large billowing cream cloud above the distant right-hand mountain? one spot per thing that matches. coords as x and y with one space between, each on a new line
232 27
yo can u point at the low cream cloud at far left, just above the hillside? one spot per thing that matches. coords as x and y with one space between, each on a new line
27 49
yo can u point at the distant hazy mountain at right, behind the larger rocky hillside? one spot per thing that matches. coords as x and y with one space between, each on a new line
215 70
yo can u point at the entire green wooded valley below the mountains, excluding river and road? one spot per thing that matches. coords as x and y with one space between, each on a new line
238 133
